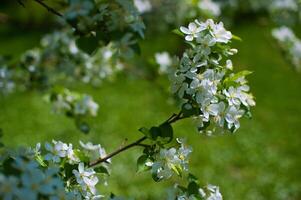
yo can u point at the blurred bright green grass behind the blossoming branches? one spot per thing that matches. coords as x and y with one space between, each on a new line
261 161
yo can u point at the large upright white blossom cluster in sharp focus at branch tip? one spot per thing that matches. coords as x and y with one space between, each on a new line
205 80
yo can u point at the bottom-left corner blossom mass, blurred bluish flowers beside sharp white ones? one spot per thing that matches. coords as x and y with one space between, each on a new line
57 171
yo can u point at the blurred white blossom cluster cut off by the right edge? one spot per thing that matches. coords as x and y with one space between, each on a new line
290 44
